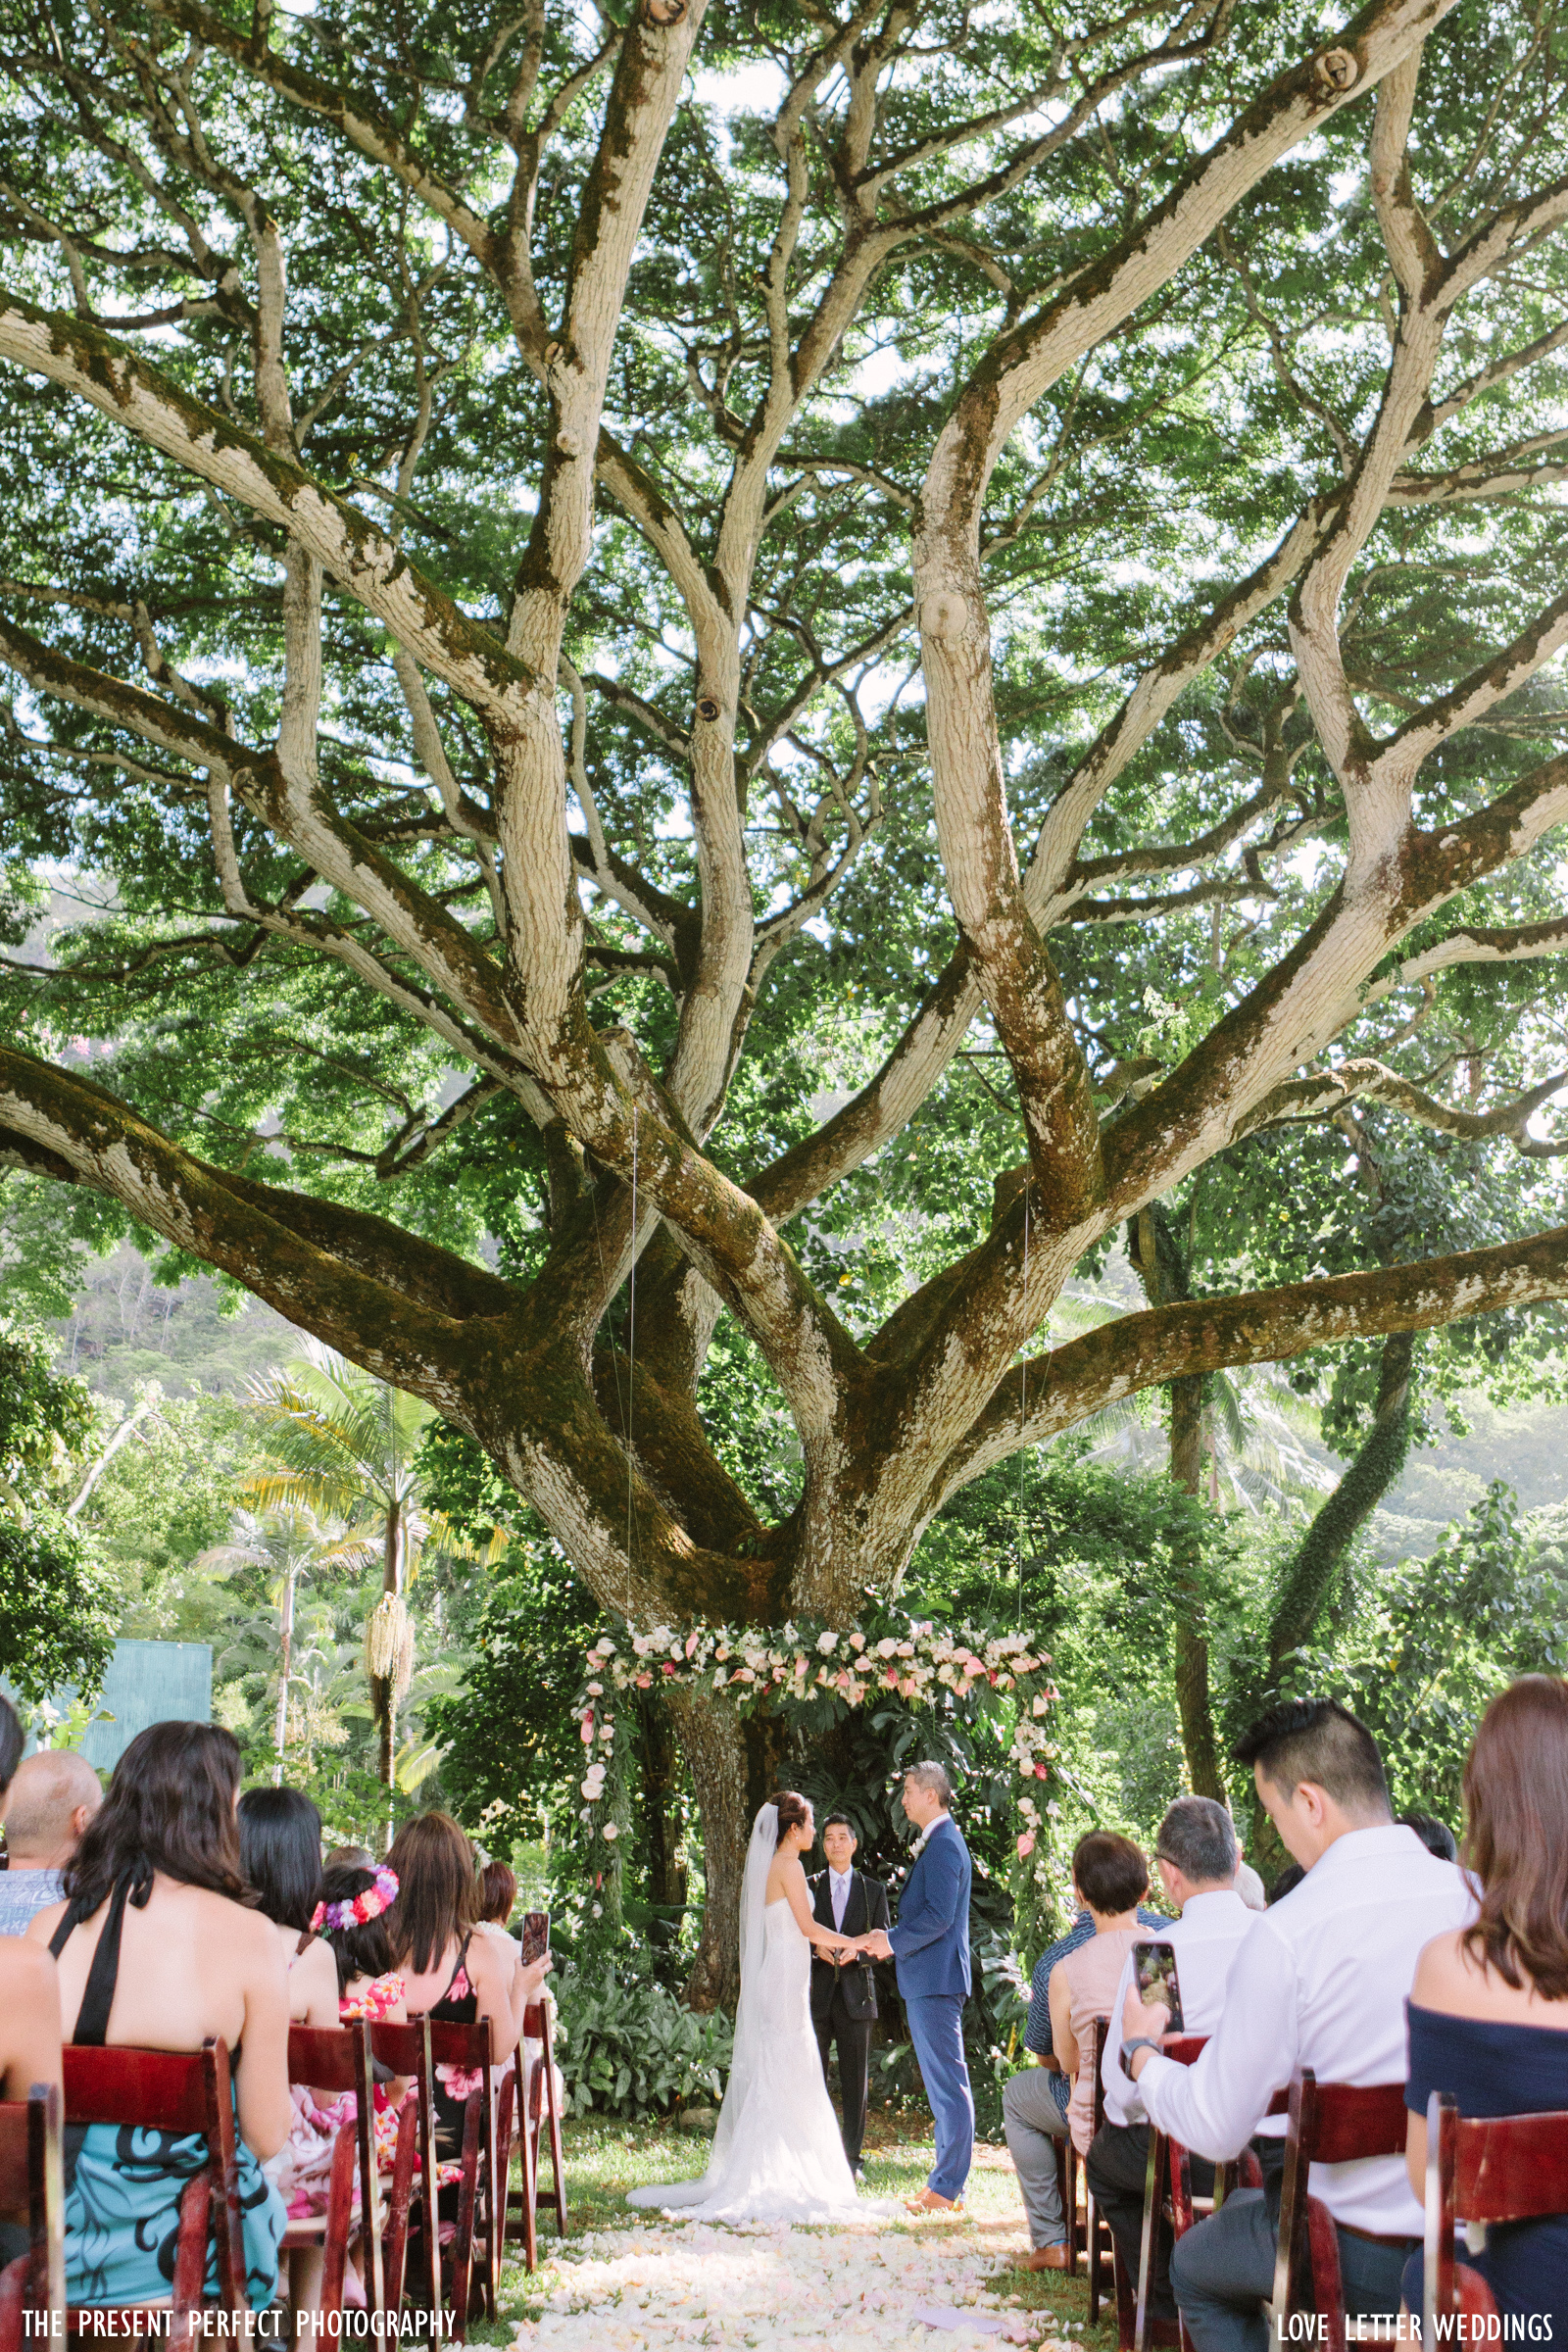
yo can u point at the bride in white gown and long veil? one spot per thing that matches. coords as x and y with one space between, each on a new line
777 2153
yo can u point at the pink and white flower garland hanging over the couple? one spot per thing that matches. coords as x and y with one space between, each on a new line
805 1664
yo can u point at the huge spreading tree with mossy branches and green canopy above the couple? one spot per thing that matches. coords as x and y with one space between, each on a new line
619 603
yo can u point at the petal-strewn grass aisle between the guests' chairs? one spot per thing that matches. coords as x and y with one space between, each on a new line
629 2283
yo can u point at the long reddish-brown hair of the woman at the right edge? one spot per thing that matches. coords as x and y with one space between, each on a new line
1517 1836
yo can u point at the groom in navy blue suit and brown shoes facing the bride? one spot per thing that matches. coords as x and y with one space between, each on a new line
932 1951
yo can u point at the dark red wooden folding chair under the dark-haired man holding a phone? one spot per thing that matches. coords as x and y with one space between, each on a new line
1332 2123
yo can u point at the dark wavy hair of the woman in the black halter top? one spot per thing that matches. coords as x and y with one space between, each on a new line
170 1808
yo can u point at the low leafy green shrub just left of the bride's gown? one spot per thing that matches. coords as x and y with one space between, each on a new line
629 2047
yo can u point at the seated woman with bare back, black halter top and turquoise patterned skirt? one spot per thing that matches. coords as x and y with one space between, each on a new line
159 1946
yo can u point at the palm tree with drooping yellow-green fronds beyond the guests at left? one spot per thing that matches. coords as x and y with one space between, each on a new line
344 1443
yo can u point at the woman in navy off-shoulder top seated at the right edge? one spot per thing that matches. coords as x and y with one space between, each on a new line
1489 2005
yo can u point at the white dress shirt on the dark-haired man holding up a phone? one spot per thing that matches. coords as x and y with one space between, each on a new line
1320 1982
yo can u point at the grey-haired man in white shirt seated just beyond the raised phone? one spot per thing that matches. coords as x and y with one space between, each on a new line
1198 1866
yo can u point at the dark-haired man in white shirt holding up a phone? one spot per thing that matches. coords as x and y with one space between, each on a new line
1320 1982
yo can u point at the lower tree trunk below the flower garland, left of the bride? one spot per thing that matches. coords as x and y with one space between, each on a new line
735 1770
